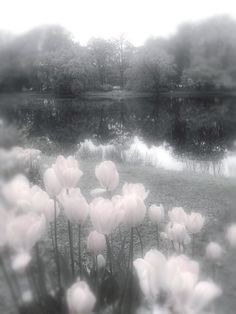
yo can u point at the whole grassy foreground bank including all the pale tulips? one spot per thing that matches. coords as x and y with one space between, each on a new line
73 246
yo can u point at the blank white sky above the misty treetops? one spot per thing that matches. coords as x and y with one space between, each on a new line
137 19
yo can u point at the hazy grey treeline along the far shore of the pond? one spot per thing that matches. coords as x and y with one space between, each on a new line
198 56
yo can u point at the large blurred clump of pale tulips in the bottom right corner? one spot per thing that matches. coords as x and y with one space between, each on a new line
175 278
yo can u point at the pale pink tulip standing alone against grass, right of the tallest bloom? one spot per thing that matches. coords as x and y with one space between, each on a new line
107 175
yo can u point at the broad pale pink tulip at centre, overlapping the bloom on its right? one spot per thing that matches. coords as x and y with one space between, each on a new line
104 216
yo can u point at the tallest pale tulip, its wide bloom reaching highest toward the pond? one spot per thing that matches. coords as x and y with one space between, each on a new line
67 171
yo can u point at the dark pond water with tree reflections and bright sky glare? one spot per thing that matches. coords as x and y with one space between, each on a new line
197 133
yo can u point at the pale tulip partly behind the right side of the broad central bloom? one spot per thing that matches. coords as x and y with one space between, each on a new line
134 210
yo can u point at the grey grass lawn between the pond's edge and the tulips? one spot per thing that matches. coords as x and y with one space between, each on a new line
213 197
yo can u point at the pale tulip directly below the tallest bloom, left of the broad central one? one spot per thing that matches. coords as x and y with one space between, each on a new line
75 205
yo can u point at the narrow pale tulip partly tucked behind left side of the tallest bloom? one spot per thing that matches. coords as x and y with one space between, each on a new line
51 182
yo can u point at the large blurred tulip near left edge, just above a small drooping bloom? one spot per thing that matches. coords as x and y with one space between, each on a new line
23 231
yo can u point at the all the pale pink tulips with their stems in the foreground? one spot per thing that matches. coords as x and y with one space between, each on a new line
169 284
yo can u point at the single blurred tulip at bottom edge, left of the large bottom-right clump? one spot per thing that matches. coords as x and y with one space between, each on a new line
80 299
